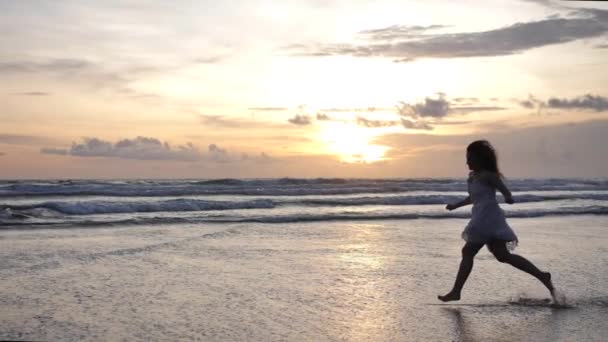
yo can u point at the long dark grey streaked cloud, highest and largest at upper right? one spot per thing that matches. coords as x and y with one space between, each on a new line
512 39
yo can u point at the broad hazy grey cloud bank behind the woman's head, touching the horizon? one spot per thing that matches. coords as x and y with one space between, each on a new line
564 150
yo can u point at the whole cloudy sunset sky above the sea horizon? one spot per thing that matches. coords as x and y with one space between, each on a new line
315 88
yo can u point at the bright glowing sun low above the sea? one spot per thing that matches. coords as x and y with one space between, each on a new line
351 143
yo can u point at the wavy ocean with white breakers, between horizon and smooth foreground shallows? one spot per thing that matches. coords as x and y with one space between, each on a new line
80 203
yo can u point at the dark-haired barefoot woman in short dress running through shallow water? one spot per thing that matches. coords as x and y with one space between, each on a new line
488 225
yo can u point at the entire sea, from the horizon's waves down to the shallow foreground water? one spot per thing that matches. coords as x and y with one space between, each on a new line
293 259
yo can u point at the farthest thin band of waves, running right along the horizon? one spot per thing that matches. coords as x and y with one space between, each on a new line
273 187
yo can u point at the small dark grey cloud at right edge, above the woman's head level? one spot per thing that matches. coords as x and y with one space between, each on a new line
585 102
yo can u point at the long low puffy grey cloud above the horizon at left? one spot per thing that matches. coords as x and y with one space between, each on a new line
140 148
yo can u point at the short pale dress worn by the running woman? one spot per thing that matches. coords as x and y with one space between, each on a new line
488 219
